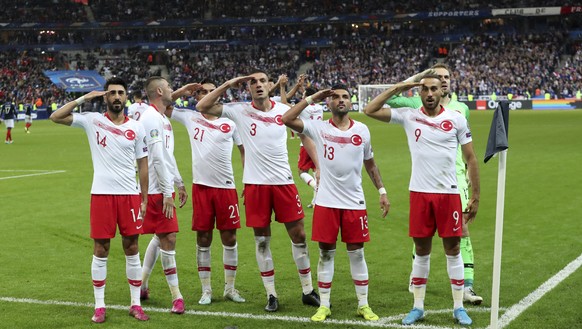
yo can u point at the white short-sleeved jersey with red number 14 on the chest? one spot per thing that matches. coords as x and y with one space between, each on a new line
114 149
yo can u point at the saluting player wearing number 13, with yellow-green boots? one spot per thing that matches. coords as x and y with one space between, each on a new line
343 145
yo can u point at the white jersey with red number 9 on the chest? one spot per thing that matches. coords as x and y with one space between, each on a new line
433 145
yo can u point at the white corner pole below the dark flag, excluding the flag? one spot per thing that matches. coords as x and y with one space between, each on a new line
498 239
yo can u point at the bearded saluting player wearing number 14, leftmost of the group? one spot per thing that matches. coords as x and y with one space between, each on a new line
116 143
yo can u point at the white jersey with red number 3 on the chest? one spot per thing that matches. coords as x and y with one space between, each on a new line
265 139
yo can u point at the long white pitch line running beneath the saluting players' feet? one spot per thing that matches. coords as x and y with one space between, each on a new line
382 323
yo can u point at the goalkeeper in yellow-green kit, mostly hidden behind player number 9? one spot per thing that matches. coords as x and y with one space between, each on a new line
449 104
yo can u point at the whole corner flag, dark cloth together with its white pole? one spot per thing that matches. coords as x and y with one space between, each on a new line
498 142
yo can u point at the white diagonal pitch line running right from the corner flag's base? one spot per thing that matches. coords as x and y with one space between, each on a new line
514 311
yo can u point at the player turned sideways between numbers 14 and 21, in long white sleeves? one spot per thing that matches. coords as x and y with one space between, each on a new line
160 218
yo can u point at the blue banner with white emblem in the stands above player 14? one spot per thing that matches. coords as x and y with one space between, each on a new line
76 81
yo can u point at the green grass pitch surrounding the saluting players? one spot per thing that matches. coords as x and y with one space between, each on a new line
45 253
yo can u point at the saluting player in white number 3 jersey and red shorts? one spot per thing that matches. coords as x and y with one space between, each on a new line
267 177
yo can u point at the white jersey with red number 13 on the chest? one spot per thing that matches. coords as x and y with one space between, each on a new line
341 155
